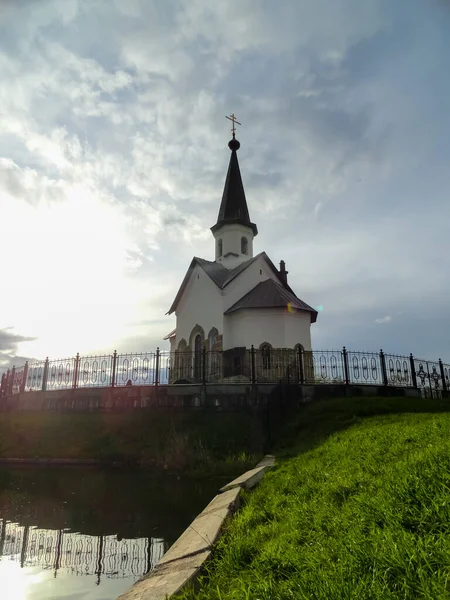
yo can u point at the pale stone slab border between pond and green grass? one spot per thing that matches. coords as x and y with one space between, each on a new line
184 560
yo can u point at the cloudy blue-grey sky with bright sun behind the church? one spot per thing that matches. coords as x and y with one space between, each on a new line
113 154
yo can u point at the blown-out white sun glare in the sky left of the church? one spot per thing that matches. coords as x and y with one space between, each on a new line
67 276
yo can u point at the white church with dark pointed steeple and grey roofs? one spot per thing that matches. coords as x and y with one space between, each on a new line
238 300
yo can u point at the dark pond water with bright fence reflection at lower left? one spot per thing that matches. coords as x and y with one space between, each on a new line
84 533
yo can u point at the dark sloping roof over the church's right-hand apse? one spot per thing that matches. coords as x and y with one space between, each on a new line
270 294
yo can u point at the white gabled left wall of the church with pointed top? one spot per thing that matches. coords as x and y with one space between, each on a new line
201 304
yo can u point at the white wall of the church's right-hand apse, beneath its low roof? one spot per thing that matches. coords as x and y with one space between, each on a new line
275 326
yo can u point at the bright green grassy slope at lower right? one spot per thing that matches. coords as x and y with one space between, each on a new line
362 513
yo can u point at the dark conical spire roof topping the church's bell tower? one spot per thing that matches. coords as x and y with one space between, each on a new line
233 208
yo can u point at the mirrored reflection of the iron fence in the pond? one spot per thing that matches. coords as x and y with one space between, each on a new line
79 554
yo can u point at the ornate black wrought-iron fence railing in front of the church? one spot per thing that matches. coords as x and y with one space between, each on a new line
237 365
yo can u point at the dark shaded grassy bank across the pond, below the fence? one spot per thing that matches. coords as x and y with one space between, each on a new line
173 439
